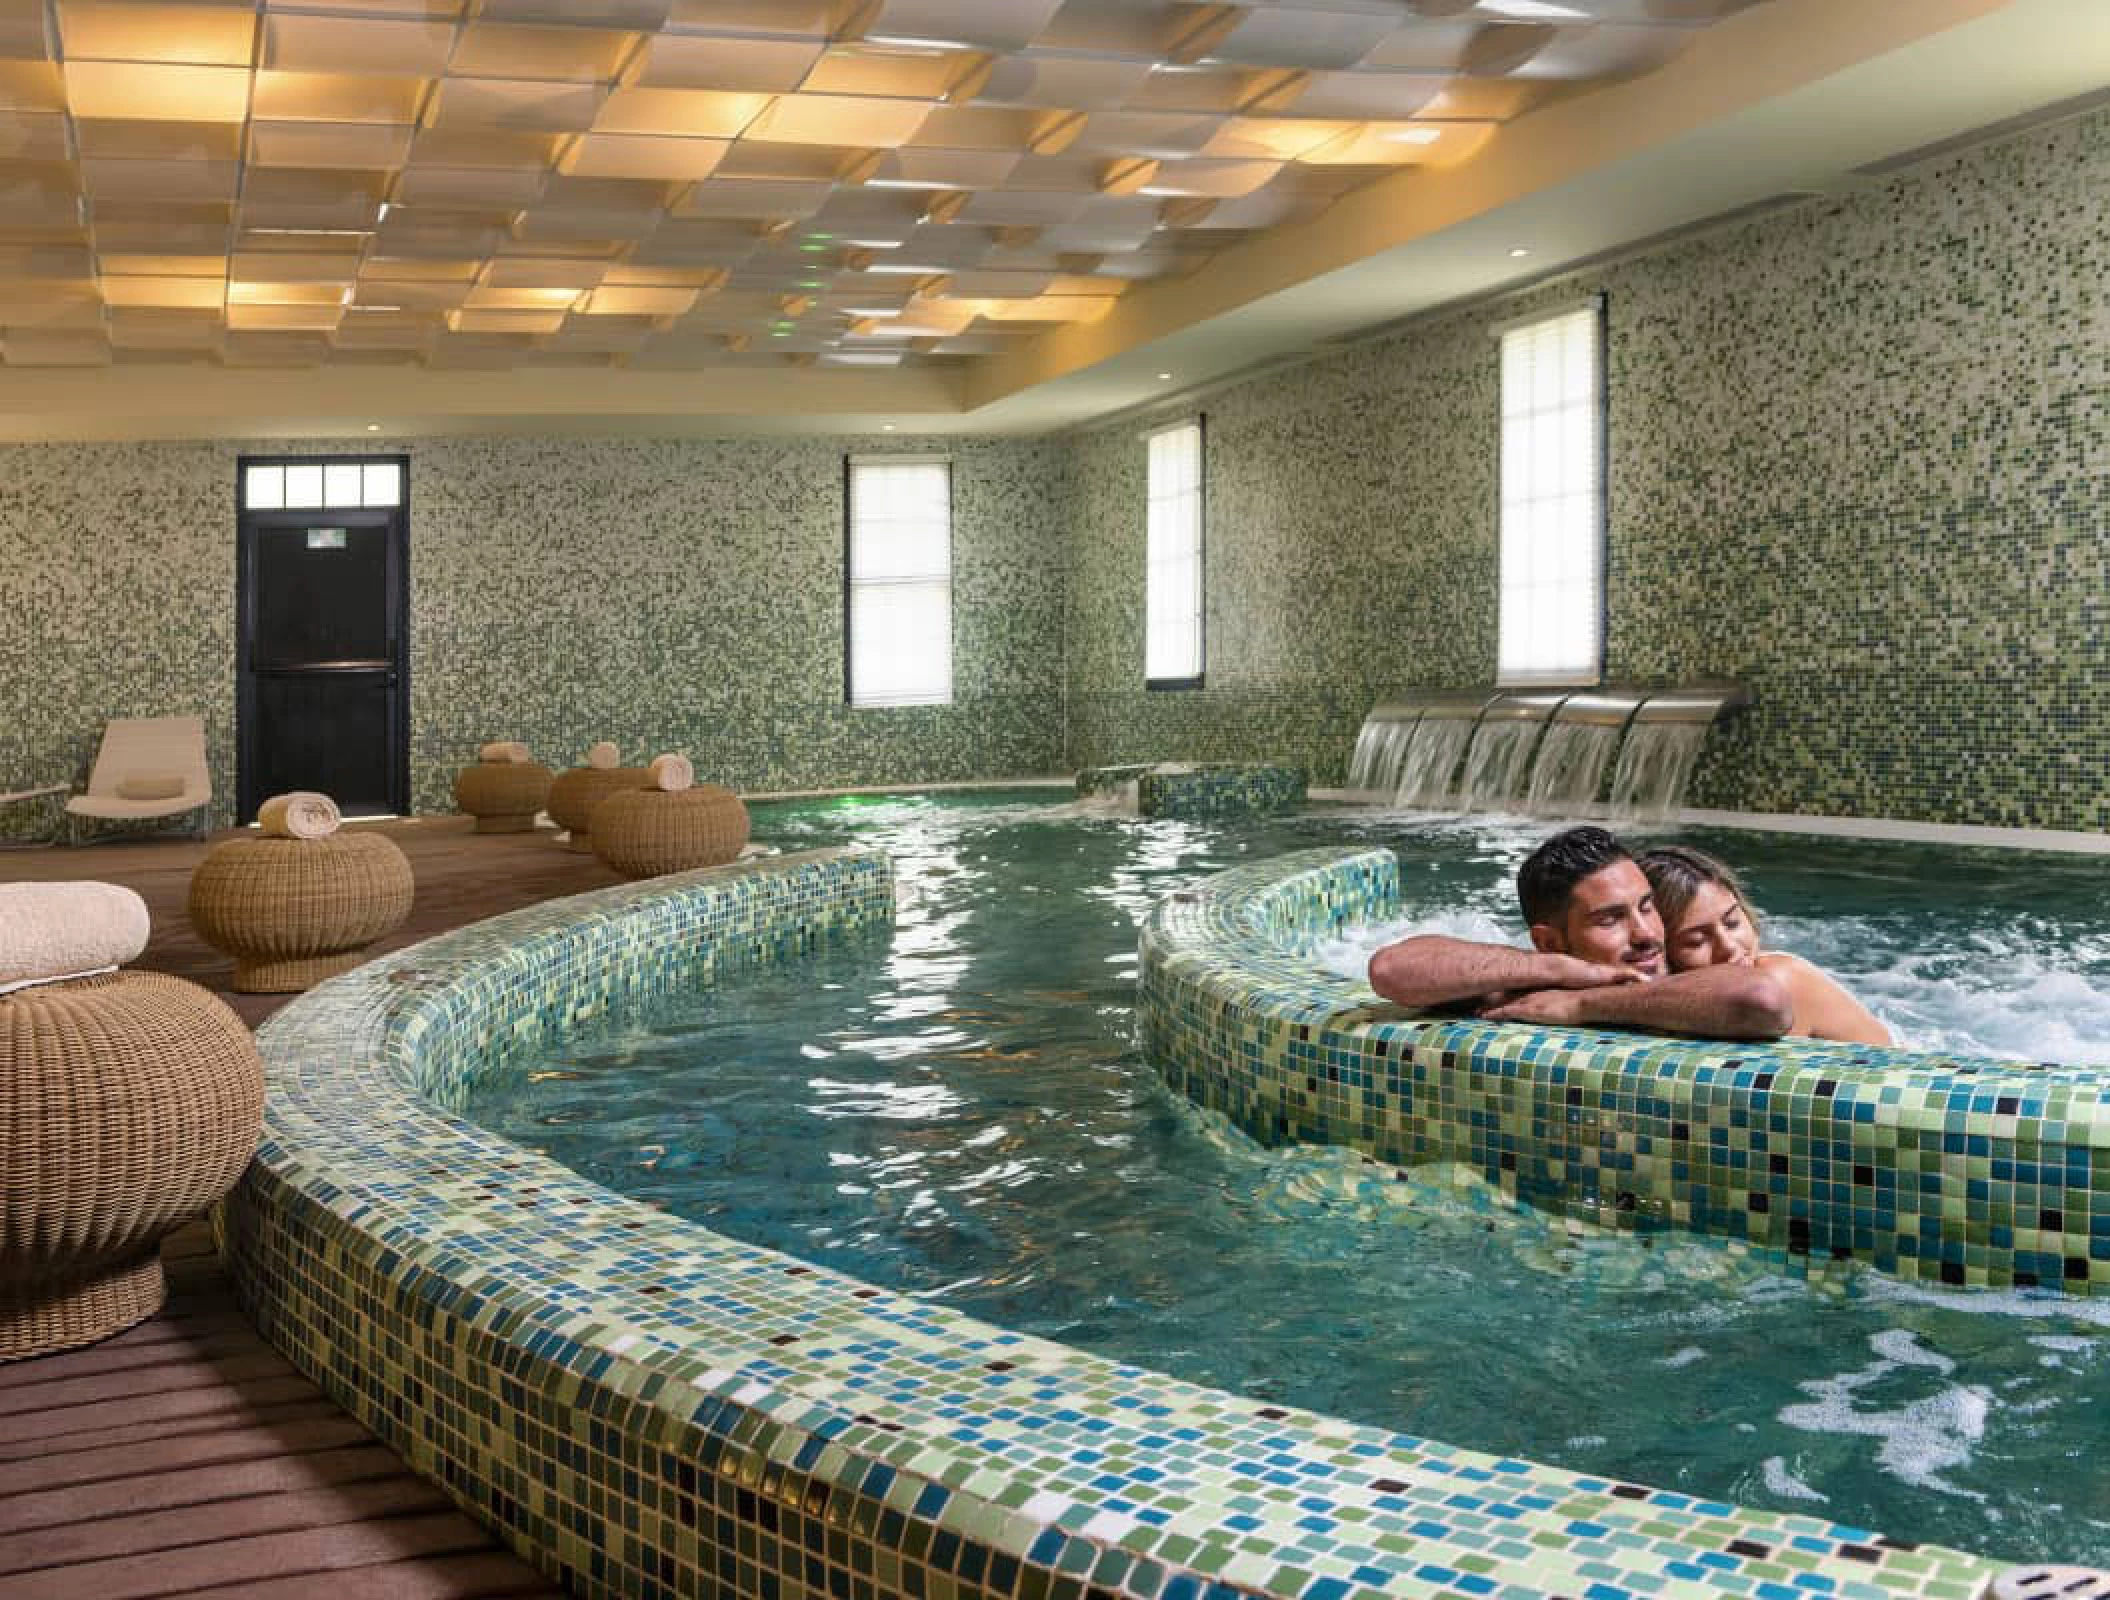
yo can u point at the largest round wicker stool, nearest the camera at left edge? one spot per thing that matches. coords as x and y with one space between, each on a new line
128 1105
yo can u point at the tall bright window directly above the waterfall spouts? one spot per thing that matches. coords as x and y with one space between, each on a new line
1552 626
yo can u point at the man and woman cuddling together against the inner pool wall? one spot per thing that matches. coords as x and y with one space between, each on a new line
1664 940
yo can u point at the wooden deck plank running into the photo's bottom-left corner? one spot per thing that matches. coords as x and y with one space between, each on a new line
246 1561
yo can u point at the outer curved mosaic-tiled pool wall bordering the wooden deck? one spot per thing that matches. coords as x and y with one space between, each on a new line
649 1409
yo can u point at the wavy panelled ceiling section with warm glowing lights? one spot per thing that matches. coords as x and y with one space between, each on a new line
699 185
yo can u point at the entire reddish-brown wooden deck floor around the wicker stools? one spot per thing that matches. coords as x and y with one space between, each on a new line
187 1458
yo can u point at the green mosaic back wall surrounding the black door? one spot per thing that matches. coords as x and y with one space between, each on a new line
661 594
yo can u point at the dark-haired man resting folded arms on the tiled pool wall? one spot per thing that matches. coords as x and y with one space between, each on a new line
1596 957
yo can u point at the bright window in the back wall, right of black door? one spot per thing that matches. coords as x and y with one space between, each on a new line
900 592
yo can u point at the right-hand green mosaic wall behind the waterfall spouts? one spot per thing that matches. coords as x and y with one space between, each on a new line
1856 461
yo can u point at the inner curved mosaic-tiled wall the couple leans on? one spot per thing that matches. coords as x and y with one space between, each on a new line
1953 1170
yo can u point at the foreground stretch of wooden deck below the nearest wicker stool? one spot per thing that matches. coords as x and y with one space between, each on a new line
187 1458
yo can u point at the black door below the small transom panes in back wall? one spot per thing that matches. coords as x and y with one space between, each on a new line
324 674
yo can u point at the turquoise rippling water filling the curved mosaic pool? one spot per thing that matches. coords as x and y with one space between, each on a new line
959 1111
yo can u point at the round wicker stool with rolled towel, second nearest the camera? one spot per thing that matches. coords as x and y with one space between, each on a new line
299 911
